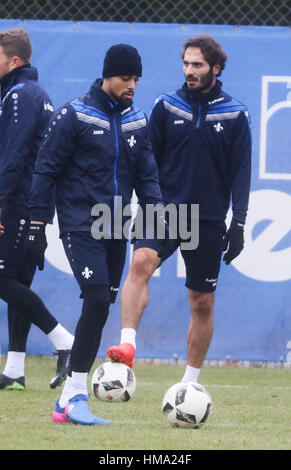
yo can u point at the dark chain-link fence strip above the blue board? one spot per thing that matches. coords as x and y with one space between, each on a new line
235 12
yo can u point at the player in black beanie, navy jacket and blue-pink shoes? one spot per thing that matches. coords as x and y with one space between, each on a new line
97 150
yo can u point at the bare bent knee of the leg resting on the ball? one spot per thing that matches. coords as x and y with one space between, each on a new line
144 263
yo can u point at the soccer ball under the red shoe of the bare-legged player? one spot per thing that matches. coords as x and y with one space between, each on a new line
113 381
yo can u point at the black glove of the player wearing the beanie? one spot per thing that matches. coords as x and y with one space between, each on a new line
36 244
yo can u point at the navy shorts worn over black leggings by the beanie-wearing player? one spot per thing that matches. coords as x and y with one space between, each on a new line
95 262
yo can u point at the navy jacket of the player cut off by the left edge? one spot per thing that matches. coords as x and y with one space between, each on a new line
25 111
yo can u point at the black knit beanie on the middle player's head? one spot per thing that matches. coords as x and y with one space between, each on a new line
122 59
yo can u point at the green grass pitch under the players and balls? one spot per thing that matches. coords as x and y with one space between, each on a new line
251 410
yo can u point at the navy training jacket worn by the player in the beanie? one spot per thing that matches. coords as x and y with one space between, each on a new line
94 151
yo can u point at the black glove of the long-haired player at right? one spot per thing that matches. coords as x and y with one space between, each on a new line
233 241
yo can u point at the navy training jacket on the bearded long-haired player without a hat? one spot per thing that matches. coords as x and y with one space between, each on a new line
202 145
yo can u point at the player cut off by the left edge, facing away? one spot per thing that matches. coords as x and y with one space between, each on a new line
25 111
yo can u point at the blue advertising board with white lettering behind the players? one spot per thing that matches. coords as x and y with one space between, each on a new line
252 309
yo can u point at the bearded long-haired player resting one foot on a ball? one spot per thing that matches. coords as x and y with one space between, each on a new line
202 144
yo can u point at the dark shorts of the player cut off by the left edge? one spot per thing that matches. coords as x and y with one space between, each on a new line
12 248
